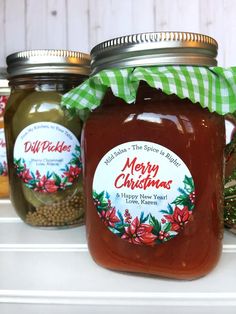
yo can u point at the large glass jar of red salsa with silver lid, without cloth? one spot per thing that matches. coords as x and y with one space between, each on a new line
153 173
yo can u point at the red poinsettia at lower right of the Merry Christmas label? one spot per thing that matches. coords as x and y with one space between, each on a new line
179 218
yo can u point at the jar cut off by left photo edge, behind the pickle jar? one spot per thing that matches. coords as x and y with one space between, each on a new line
4 93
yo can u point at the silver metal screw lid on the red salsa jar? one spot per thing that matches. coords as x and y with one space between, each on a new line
148 49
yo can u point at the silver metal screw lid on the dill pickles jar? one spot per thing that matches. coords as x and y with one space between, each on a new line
48 62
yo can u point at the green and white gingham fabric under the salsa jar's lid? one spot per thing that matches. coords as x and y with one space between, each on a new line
212 87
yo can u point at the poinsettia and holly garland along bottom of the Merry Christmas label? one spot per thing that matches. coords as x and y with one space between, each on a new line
147 230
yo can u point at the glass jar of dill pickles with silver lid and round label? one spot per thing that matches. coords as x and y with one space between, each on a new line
42 139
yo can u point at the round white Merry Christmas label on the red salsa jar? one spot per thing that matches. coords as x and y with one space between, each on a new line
143 192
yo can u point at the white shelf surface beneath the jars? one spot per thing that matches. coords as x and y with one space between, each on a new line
51 271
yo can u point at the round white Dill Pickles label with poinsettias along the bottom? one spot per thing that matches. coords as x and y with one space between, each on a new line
47 157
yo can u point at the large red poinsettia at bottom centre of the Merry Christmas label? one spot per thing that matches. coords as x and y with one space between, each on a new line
138 233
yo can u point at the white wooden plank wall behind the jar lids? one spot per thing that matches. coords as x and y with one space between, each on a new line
81 24
